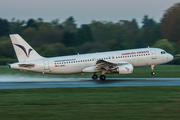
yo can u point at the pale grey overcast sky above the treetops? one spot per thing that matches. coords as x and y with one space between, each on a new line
84 11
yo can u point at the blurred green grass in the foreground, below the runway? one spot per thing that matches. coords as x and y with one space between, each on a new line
109 103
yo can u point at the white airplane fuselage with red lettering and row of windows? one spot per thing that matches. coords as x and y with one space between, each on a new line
77 63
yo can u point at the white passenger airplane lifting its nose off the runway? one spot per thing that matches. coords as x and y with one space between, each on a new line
120 62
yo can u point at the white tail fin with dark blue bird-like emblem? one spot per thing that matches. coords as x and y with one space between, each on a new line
24 51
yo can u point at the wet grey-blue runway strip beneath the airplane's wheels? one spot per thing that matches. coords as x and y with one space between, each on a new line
26 83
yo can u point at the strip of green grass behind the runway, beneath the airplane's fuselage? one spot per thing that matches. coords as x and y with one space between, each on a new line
141 72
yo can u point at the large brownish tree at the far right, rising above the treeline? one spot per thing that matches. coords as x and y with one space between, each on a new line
170 27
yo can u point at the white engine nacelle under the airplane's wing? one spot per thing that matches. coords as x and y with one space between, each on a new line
125 69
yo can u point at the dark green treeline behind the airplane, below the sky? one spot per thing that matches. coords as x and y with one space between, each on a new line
57 38
